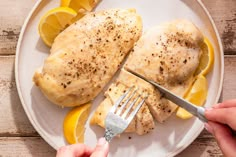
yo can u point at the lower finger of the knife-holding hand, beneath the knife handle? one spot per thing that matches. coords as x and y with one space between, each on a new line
224 138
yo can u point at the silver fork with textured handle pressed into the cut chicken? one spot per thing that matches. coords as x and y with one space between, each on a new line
118 118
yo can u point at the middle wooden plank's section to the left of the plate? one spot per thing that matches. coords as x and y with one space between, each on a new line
13 120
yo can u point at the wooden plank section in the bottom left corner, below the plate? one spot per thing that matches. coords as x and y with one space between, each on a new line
25 147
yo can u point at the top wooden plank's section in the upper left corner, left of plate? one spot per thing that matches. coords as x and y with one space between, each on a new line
13 13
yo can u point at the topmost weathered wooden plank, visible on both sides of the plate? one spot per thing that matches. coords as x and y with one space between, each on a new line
13 13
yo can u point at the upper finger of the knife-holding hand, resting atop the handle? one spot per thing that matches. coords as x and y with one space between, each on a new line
222 115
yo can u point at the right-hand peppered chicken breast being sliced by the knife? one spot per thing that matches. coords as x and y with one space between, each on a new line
169 55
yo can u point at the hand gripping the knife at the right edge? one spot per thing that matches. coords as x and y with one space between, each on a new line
222 120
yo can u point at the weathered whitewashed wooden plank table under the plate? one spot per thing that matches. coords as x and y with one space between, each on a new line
19 138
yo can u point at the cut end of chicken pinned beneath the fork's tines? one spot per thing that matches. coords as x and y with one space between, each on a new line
143 120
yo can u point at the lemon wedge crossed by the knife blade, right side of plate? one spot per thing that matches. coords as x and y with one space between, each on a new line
197 95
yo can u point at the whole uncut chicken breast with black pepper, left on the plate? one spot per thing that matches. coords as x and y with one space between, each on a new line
86 55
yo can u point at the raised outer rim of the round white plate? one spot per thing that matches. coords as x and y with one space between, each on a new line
35 124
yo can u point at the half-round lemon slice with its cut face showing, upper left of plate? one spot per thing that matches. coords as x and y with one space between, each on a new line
53 22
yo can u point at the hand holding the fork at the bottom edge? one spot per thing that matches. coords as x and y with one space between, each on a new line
81 150
